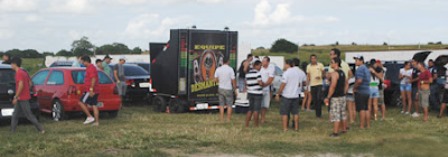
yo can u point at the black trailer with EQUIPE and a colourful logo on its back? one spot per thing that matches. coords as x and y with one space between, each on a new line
182 70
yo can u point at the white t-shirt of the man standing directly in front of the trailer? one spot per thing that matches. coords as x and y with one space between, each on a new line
225 74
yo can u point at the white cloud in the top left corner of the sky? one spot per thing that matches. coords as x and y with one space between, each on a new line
18 5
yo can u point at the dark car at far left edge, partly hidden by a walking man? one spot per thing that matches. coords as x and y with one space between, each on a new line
8 90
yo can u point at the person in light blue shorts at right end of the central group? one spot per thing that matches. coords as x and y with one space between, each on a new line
374 89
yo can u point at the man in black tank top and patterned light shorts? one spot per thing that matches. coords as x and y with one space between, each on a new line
336 94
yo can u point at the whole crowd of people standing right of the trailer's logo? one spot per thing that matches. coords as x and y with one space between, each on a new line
346 91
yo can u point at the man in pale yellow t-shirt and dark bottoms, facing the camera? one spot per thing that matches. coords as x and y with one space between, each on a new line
315 72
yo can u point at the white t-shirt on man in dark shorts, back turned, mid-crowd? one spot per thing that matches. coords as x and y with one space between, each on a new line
290 78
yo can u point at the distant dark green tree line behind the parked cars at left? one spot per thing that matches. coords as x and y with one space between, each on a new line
78 48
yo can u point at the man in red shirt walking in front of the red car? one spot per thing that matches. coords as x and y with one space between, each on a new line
90 96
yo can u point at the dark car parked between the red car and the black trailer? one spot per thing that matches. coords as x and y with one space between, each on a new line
138 82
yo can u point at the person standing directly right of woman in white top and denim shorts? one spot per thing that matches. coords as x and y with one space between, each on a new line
414 92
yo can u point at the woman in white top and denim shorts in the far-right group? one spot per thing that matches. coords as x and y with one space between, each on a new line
406 87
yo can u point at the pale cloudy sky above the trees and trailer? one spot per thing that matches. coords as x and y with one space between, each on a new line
52 25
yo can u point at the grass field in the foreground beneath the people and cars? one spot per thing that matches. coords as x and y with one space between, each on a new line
138 131
